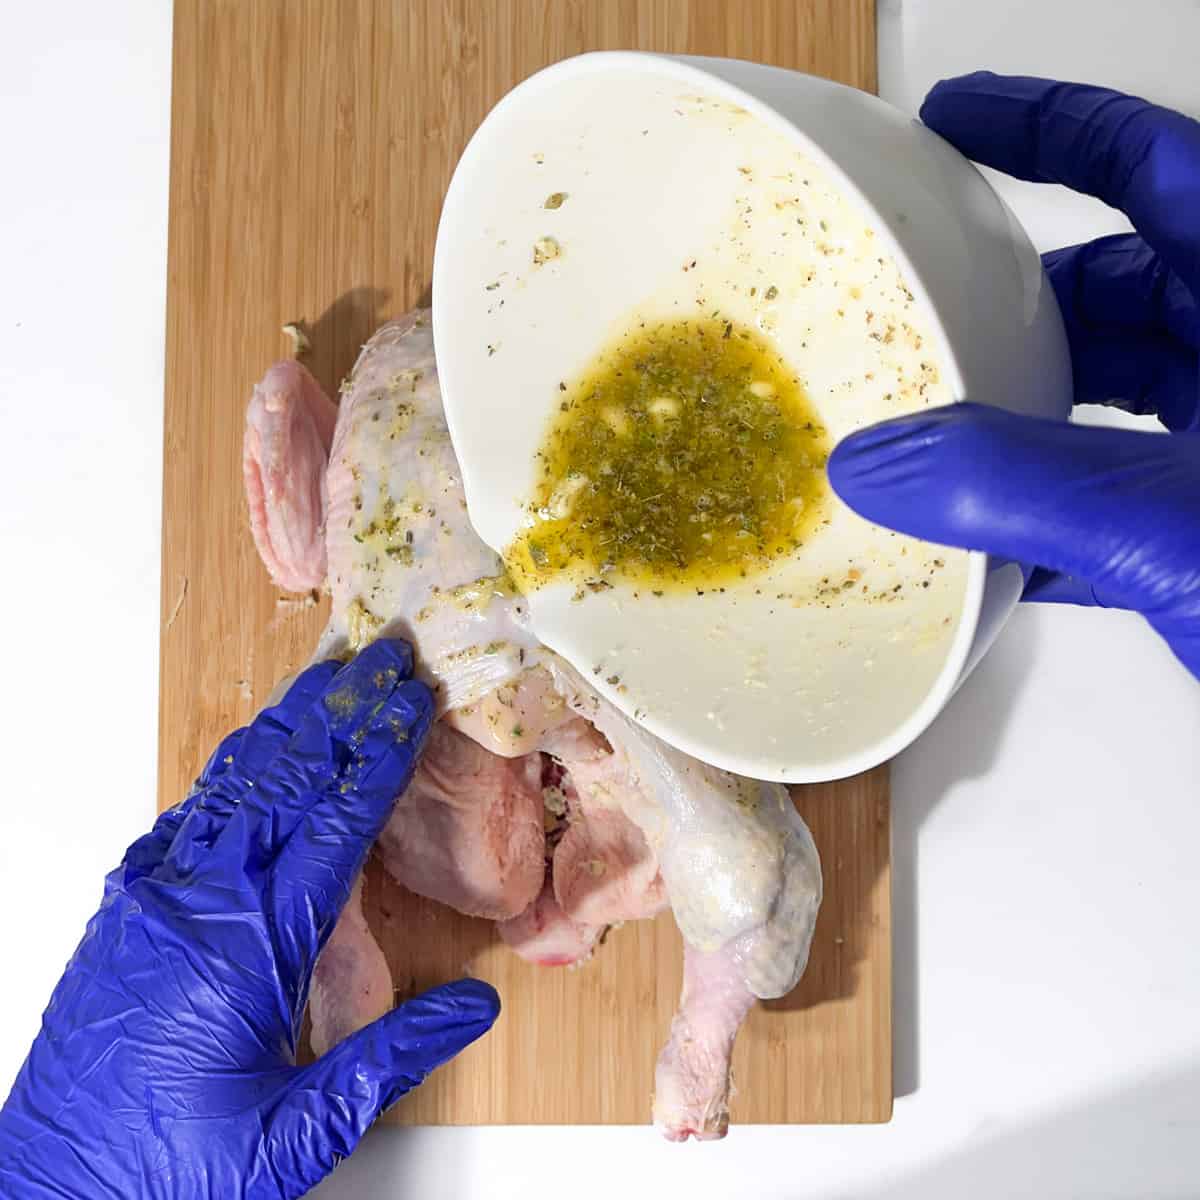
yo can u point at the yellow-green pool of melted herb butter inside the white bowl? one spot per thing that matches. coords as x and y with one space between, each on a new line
686 454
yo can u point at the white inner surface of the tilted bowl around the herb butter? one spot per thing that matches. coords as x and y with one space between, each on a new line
632 169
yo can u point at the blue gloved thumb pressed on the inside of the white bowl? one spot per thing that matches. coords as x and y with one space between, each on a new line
1112 508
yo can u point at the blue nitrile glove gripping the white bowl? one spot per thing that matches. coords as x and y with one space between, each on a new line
1108 517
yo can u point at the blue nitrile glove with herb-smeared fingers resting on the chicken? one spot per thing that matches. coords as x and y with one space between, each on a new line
166 1064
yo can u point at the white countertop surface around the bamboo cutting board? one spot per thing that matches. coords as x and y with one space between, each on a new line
1048 975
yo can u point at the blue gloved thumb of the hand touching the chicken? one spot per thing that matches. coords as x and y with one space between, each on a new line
332 1103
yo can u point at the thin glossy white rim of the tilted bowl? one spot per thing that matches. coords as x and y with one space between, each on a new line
692 70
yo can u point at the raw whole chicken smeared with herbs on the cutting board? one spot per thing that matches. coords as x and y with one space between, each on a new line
537 805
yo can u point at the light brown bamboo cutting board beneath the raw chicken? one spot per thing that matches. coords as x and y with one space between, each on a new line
311 146
